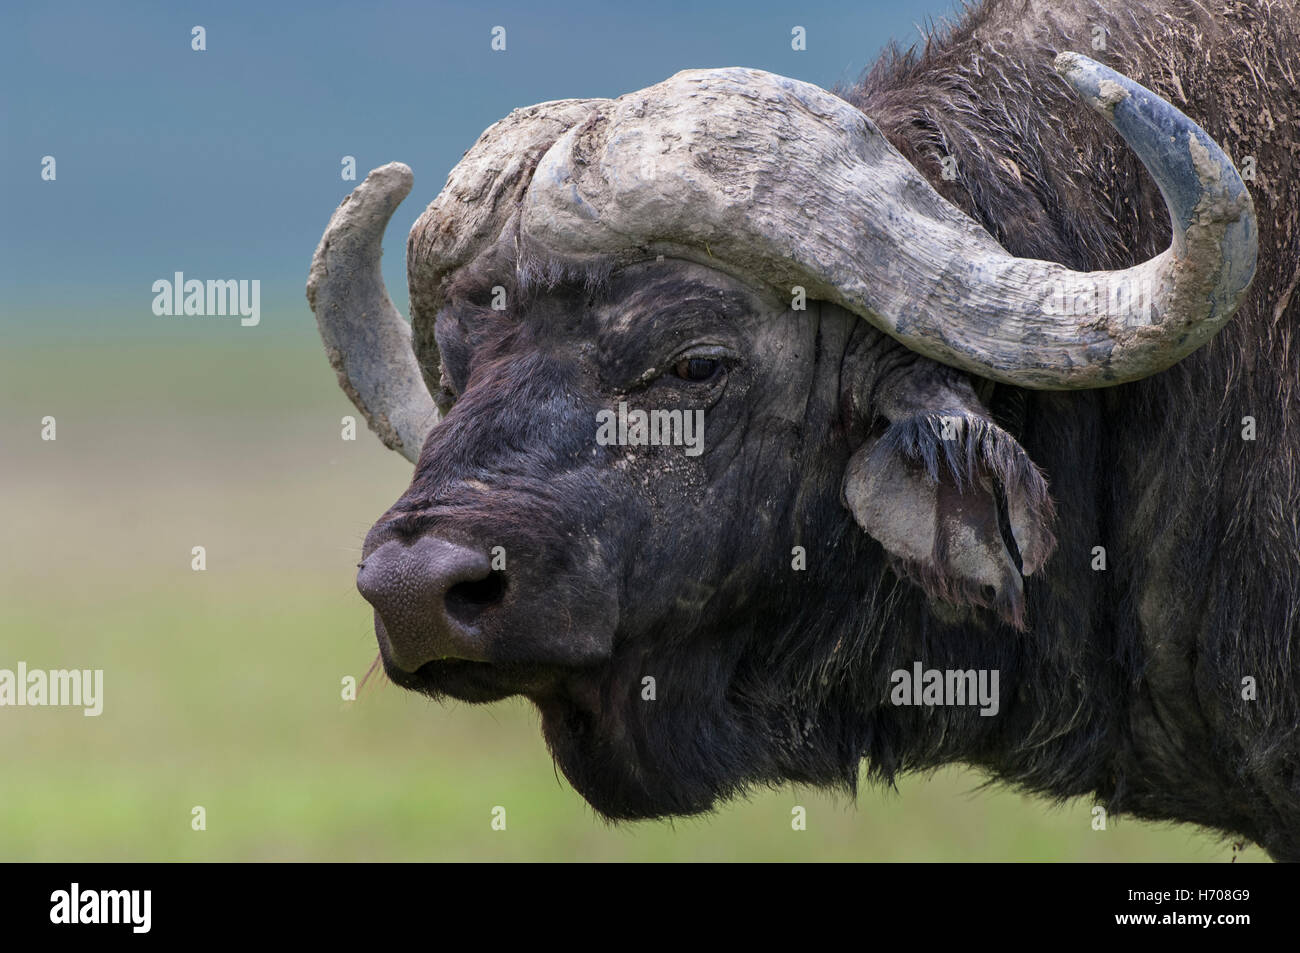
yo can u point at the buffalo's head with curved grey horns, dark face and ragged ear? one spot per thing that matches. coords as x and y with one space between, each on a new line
695 402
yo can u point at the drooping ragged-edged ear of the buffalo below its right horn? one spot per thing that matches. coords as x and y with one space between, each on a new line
960 508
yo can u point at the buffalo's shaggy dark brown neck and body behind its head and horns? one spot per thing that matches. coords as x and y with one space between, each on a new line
1201 527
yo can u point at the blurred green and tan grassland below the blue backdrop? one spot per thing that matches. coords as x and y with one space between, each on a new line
223 688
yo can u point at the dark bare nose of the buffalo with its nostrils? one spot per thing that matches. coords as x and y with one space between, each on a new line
428 599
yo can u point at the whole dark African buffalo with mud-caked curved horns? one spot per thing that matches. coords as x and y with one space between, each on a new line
974 402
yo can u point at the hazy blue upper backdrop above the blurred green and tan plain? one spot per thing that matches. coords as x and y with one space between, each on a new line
226 163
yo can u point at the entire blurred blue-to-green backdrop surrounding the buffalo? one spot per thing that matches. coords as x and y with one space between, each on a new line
223 688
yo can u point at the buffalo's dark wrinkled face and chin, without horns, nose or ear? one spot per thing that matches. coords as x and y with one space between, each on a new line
626 562
